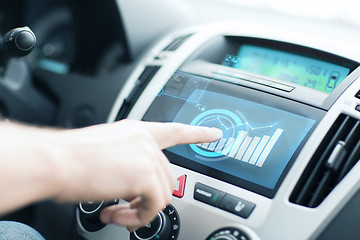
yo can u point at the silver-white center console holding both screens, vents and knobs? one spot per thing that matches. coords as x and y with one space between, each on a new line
289 112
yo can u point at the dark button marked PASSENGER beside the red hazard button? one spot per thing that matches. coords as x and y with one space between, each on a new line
208 194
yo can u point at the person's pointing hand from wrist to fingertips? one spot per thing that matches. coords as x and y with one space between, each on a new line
124 160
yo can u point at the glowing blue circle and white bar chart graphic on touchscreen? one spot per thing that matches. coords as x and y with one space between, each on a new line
240 141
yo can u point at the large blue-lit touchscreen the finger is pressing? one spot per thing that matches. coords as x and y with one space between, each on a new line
258 140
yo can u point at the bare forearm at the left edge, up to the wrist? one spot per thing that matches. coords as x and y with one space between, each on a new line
29 169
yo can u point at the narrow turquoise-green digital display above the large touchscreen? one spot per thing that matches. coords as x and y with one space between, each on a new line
304 71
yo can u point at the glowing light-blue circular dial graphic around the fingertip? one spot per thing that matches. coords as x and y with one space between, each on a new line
223 119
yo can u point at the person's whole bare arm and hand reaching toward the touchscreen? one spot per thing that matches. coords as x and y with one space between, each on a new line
103 162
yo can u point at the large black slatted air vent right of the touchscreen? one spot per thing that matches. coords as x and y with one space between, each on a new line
337 154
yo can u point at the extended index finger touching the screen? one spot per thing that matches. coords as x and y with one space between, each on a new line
171 134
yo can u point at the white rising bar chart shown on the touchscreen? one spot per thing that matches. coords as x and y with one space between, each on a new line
253 150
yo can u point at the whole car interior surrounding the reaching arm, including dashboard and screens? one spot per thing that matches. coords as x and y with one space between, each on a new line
280 79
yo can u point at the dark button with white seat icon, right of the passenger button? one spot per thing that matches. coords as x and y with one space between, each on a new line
236 206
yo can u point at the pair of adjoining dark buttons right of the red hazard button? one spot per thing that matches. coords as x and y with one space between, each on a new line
223 200
